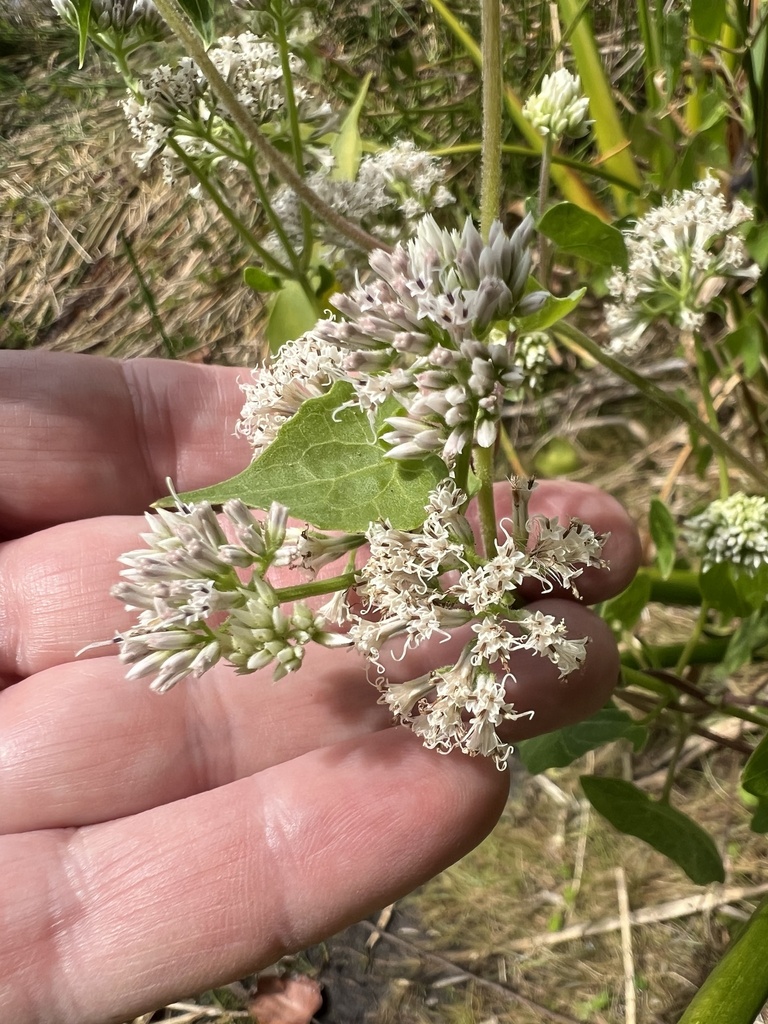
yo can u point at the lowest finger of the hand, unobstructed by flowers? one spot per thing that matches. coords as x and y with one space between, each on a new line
119 919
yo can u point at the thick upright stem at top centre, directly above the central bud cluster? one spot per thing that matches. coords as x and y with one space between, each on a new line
493 83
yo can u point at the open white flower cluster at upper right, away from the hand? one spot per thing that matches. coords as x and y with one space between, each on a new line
674 251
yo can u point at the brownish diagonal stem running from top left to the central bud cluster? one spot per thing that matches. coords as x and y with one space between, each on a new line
179 22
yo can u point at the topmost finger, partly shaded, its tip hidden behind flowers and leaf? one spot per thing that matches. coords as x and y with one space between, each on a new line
86 437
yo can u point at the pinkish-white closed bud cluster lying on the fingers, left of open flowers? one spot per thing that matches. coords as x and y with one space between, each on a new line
196 609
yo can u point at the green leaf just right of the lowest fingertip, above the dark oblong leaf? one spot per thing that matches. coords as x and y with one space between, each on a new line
560 749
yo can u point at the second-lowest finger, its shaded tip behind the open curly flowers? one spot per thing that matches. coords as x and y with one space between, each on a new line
79 745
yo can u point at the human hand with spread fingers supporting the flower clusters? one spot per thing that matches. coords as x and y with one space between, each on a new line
155 846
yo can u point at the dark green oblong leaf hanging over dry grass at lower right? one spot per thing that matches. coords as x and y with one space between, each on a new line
667 830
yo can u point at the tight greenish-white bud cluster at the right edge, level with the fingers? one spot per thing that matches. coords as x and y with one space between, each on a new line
732 530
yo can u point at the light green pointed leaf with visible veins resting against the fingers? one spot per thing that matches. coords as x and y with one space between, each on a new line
327 468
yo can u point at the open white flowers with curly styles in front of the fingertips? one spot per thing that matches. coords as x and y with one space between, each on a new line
407 596
